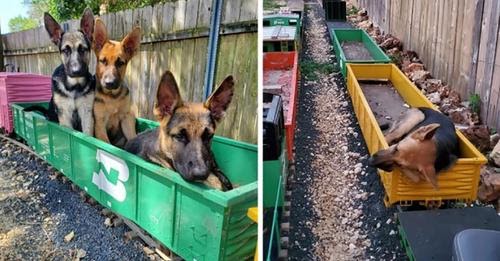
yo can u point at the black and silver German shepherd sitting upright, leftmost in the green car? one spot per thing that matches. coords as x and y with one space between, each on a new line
73 87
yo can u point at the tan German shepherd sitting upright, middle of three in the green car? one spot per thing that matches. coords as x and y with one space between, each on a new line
114 119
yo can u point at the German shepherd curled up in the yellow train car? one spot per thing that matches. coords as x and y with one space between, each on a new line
422 143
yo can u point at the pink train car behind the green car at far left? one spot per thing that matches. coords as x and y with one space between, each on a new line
21 87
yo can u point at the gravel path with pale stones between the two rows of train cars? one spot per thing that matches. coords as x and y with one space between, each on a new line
337 210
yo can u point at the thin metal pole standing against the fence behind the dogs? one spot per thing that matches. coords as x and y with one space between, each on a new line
213 42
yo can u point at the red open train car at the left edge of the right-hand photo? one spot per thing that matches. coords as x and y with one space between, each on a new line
280 77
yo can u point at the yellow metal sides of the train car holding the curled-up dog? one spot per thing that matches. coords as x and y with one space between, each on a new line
458 183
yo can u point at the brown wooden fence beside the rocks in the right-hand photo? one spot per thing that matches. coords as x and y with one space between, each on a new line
458 41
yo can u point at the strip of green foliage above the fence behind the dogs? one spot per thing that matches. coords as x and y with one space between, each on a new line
63 10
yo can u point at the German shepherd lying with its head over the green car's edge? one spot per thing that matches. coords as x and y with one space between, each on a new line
183 140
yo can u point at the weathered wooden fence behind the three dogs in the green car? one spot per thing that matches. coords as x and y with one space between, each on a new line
174 37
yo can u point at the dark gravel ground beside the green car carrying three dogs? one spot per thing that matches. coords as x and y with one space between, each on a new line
37 212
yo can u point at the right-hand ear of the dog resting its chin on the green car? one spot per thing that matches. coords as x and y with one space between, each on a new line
217 103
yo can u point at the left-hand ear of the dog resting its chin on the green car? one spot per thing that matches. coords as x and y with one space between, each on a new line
168 97
